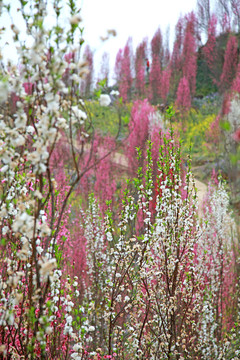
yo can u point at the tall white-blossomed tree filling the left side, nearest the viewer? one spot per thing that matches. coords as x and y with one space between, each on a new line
37 108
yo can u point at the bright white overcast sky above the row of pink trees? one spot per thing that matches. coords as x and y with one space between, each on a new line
138 19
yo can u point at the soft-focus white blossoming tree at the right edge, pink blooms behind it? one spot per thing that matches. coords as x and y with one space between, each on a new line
216 261
